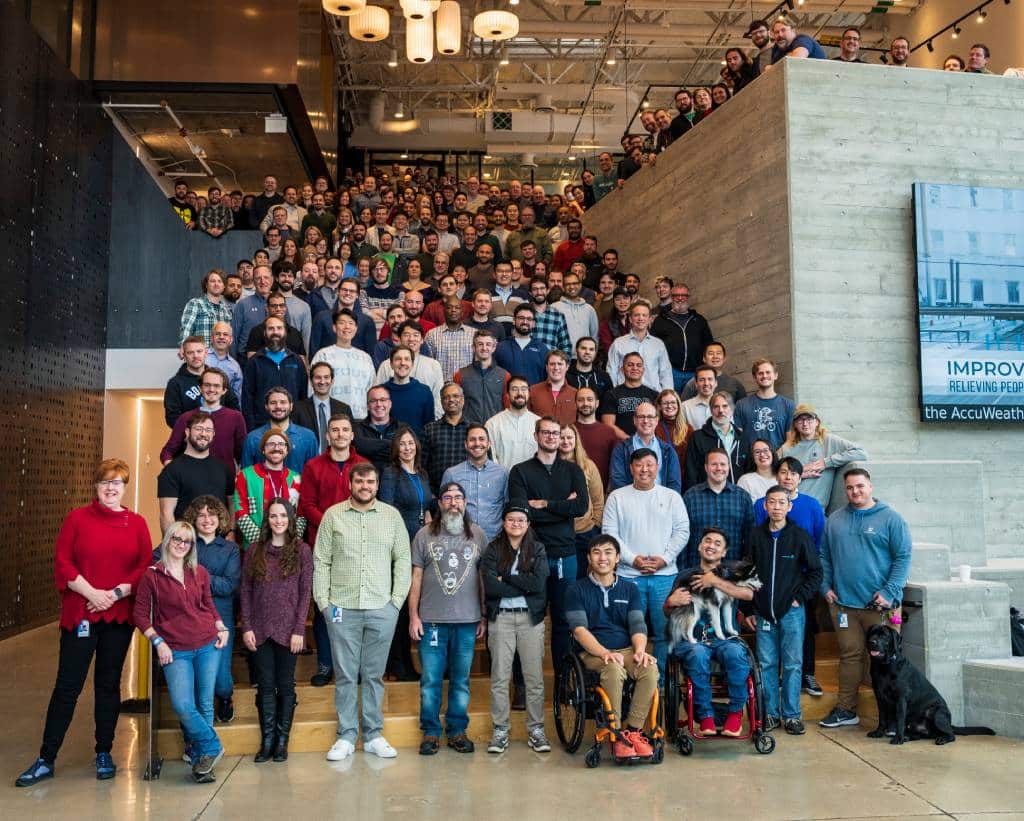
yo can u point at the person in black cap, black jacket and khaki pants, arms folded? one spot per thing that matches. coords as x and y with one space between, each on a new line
515 571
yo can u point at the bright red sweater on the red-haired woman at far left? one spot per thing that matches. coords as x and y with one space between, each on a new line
107 548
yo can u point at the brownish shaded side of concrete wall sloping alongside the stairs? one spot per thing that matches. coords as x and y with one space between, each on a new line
714 212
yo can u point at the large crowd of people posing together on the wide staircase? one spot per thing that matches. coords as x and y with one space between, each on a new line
437 456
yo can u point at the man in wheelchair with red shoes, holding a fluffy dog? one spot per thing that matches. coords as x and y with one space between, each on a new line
728 652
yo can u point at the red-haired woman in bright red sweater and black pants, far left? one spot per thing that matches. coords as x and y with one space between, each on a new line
102 552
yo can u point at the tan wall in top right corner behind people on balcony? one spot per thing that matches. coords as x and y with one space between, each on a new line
1001 32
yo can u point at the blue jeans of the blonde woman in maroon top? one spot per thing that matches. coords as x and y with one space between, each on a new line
191 679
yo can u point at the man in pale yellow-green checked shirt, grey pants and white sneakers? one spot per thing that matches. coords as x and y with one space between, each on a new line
362 571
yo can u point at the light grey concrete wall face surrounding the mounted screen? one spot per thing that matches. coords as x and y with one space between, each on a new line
860 138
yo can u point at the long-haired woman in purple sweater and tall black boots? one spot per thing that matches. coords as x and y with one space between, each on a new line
277 584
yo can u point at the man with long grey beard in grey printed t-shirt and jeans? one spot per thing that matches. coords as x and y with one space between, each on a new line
447 616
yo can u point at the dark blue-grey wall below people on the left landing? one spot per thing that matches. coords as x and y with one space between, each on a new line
156 266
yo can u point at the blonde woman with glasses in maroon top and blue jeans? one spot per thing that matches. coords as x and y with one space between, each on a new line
176 612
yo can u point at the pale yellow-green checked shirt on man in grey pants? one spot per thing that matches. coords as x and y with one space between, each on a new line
362 559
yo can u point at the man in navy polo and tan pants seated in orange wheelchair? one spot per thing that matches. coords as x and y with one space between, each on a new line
607 618
